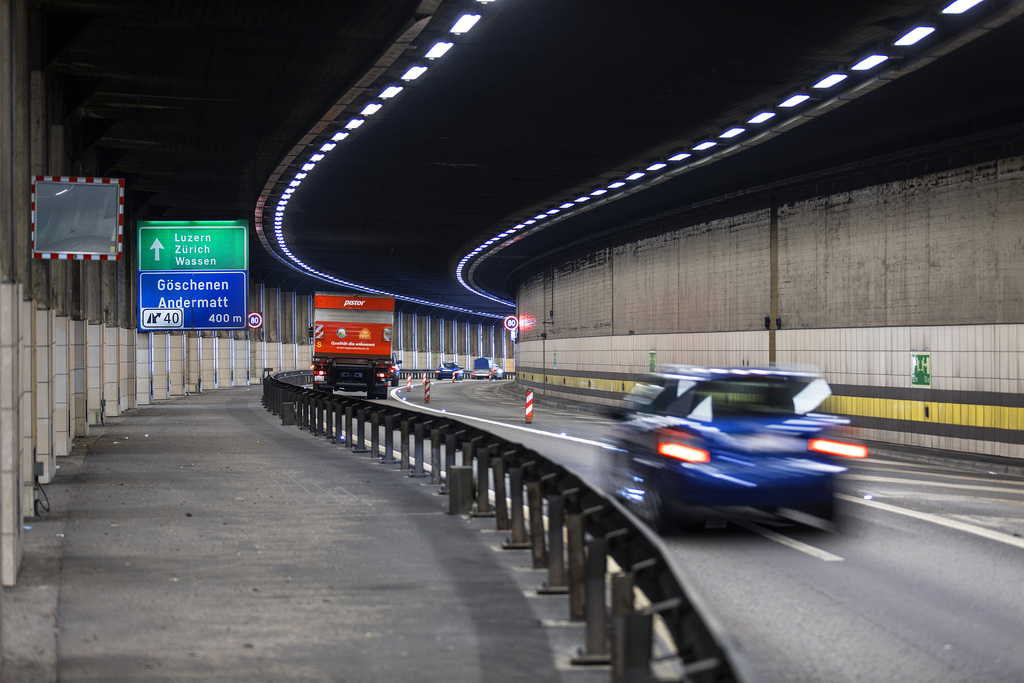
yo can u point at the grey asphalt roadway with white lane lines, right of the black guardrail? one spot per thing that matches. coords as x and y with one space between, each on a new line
923 582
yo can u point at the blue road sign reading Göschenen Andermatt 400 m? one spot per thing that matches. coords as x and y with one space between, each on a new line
201 301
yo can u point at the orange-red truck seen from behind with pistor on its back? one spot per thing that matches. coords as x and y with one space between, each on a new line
353 344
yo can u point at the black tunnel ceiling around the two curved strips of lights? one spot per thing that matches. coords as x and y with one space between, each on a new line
197 104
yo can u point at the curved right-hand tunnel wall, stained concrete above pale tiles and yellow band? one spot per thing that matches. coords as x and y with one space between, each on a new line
856 283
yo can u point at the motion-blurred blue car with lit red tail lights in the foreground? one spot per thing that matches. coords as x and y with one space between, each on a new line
694 442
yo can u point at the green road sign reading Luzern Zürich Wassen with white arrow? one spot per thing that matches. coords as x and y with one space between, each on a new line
193 245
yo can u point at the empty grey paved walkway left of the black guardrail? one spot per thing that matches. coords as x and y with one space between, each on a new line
200 540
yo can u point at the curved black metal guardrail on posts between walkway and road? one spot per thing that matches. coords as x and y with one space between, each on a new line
595 527
